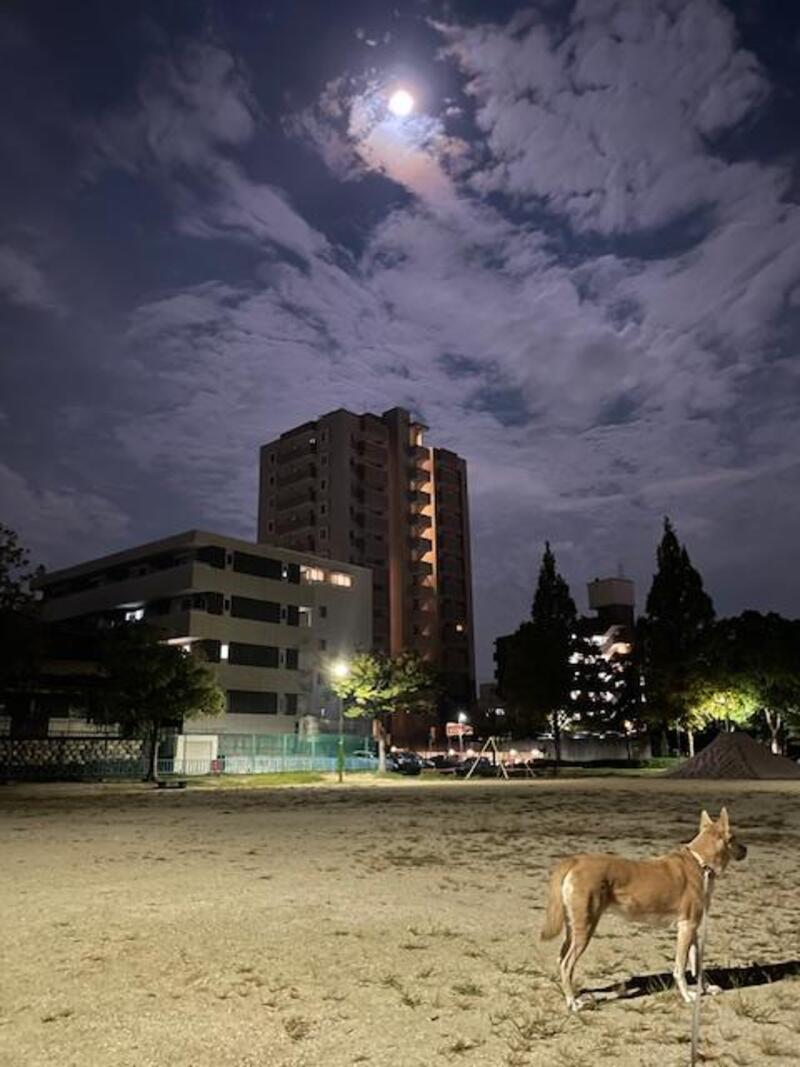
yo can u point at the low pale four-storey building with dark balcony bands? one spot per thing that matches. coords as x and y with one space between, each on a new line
269 620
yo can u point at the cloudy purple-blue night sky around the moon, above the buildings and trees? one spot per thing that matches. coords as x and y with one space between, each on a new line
579 262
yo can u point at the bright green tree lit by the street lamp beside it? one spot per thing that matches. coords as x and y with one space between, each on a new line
378 686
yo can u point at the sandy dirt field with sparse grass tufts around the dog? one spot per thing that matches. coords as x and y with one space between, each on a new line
376 926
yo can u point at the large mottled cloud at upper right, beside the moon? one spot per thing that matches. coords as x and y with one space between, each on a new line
609 119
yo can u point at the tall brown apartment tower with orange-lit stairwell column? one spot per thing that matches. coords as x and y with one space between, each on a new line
367 489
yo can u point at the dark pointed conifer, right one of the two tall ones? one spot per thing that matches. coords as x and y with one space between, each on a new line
679 615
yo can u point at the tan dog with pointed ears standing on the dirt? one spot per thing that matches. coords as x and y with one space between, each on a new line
668 889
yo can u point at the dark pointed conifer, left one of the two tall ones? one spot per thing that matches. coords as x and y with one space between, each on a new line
537 675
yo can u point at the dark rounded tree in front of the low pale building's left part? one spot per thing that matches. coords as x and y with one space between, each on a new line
151 686
